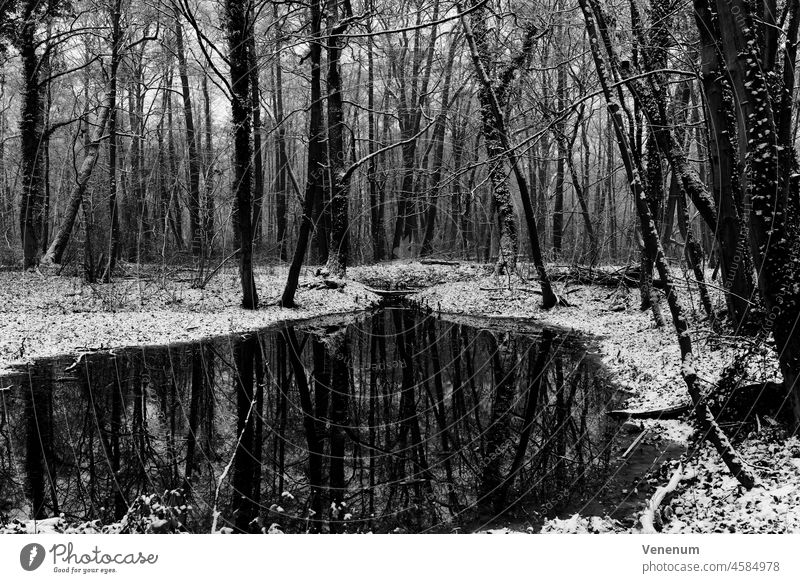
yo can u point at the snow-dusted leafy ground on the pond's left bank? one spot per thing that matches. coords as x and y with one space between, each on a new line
44 316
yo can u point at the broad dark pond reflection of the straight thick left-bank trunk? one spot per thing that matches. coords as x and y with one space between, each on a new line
244 354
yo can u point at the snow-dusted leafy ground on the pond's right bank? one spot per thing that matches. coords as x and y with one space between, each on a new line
645 360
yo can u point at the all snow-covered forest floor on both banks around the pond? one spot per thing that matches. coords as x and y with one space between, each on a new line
47 315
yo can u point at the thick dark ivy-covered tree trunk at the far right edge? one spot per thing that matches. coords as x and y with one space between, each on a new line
764 92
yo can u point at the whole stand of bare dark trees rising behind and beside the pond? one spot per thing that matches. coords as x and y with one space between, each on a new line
341 132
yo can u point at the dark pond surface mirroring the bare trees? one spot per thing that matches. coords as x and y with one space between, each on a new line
400 421
